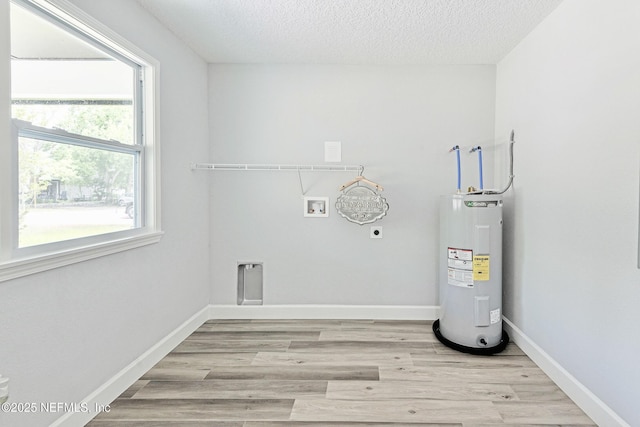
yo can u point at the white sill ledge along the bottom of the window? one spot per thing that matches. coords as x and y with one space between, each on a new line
14 269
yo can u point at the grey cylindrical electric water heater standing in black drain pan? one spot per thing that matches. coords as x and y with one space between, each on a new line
471 273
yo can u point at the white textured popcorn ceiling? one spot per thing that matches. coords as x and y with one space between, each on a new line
351 31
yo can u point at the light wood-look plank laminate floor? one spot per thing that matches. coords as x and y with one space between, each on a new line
268 373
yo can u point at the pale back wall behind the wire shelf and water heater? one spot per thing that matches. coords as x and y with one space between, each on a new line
399 122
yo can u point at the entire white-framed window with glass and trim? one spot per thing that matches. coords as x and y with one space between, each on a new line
83 155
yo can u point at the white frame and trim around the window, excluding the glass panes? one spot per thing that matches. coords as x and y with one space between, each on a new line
16 262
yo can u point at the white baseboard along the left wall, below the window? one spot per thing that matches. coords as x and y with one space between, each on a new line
114 387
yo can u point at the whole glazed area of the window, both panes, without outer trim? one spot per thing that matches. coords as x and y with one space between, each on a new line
78 142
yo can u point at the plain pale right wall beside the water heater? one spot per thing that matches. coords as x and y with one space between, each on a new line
571 90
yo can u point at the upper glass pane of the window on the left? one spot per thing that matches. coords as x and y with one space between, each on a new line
60 80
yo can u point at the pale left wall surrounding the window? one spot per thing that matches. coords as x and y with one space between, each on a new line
65 332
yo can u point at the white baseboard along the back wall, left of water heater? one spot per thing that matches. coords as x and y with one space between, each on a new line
303 311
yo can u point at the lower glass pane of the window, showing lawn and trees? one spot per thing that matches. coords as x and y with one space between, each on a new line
68 191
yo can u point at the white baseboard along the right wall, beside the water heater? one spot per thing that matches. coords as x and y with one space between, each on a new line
595 408
